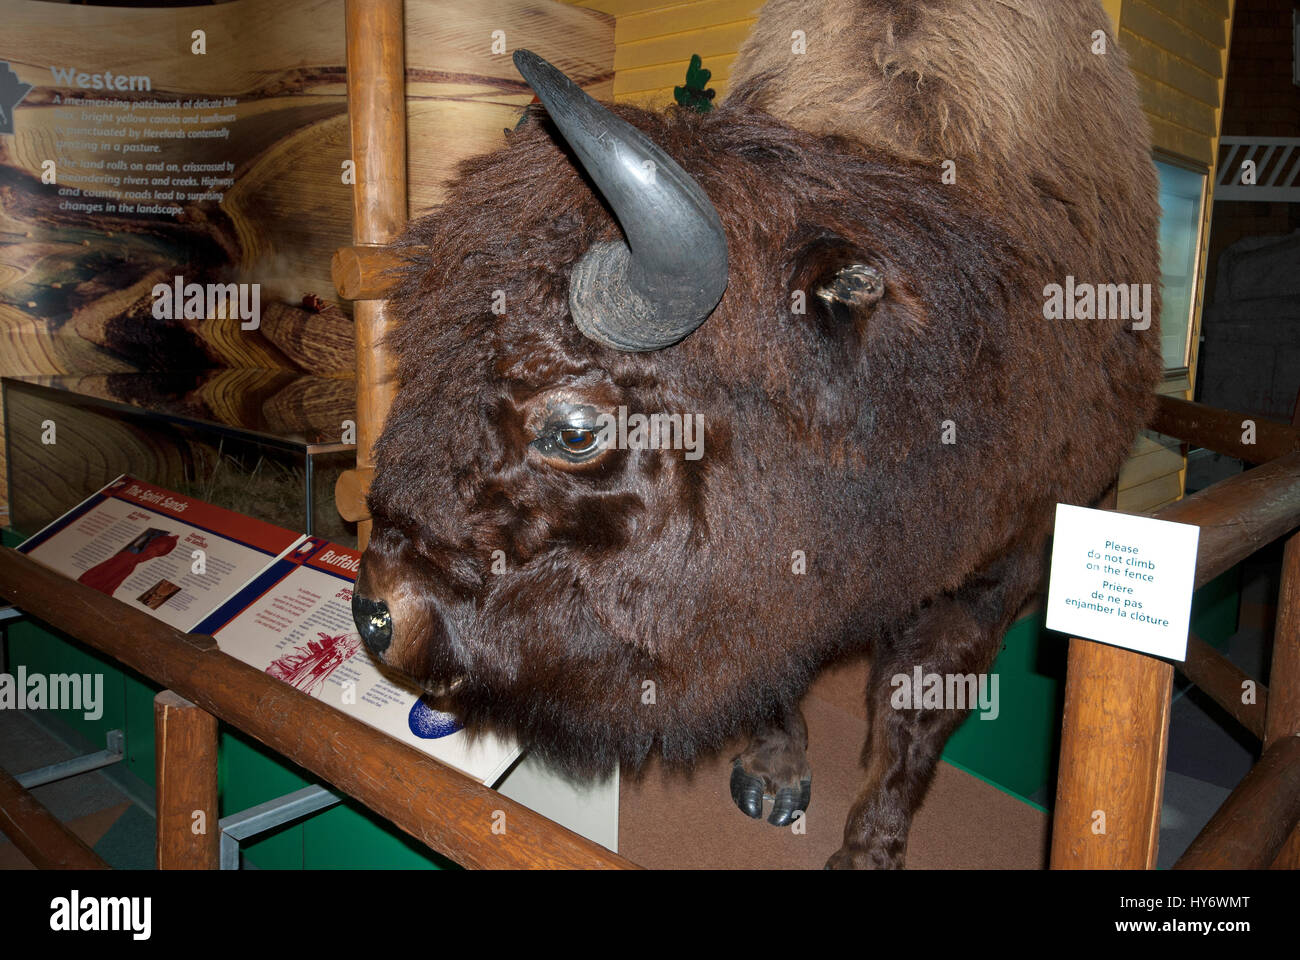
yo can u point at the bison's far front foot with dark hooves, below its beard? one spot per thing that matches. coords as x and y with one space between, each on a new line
775 767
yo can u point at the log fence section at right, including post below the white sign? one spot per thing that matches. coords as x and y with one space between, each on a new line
1117 703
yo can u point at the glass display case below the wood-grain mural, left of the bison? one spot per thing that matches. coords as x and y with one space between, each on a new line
262 443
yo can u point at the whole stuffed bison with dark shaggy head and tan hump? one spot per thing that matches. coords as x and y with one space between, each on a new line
692 405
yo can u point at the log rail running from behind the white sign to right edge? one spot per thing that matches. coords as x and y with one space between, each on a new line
1242 514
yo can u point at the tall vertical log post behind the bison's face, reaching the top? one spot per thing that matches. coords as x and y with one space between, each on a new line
376 101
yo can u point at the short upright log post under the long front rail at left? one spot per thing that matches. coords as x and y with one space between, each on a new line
187 768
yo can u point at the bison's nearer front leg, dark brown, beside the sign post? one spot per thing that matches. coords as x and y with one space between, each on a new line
961 635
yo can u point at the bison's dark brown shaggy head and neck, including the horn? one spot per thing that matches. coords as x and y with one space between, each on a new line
603 596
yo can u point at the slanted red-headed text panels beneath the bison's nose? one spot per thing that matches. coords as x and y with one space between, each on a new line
278 600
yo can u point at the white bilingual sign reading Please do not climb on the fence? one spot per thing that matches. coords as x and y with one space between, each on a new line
1123 581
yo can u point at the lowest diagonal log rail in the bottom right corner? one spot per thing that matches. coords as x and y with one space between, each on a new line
1255 823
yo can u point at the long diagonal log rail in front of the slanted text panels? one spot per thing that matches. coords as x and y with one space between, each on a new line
440 807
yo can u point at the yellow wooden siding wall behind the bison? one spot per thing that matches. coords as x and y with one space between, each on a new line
1178 53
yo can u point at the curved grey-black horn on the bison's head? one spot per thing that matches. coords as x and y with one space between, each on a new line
666 280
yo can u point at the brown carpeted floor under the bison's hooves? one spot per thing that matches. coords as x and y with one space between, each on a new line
670 820
